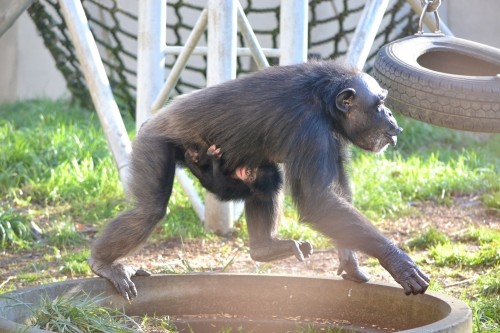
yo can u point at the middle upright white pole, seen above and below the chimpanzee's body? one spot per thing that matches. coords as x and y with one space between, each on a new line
221 66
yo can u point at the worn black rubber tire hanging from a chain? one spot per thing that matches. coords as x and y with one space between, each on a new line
442 80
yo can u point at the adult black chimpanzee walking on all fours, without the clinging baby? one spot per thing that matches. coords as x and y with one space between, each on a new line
303 116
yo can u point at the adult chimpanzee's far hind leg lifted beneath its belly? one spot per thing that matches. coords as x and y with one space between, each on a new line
262 223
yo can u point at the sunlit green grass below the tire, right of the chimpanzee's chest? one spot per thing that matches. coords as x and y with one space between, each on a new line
430 164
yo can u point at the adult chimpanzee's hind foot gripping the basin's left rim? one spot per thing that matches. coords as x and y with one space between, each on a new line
119 275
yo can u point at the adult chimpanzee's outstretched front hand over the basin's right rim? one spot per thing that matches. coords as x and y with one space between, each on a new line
405 271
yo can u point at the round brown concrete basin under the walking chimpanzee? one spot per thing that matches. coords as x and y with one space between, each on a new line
260 303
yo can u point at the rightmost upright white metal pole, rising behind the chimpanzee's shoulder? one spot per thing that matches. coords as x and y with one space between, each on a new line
293 31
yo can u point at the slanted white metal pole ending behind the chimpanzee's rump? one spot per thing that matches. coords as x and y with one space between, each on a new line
98 83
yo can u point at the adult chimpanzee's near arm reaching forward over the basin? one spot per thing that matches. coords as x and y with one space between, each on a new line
334 216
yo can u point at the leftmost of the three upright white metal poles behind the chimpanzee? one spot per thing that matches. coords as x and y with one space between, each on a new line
151 42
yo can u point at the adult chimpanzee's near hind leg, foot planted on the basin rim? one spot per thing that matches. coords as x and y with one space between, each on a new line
151 180
